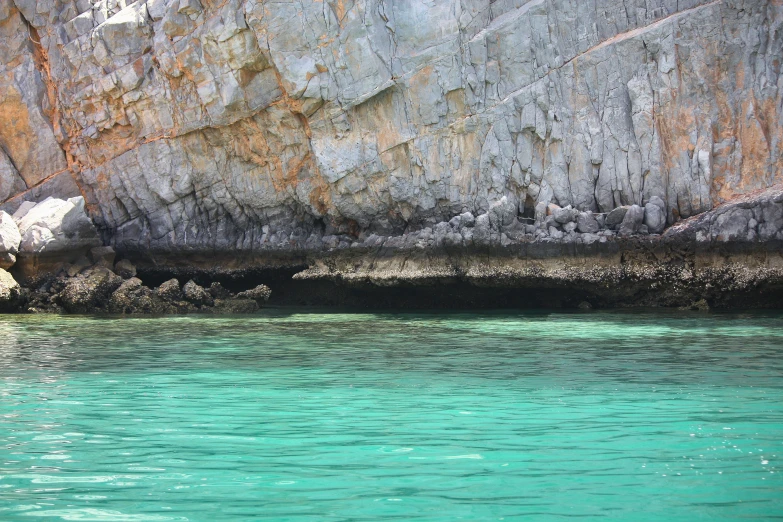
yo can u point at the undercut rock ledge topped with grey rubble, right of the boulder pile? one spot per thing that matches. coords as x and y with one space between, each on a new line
729 257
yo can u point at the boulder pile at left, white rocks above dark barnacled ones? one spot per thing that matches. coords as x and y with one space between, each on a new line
54 249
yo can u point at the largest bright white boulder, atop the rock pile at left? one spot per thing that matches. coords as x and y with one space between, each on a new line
56 225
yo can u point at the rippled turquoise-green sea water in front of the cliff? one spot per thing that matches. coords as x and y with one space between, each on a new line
332 416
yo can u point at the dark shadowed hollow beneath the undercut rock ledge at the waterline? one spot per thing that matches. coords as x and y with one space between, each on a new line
453 294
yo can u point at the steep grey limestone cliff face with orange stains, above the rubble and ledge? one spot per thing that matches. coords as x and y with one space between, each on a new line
248 125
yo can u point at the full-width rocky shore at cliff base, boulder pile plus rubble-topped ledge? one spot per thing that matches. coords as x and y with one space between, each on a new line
730 257
